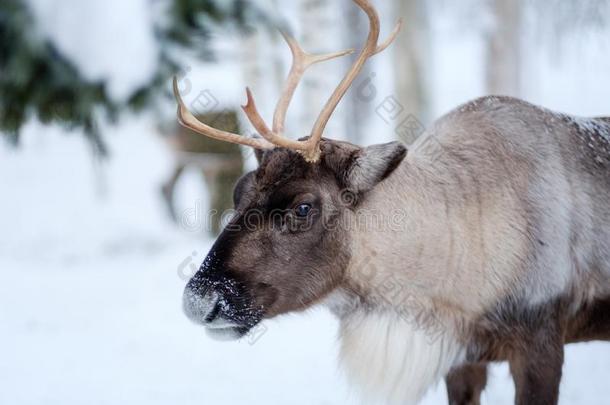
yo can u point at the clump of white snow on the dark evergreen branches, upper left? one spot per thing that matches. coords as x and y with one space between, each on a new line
93 46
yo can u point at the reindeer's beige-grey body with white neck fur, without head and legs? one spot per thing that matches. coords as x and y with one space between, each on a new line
506 216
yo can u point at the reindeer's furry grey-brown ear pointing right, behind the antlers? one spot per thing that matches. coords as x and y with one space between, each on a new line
360 169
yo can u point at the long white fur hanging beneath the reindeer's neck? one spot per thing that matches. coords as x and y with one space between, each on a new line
393 360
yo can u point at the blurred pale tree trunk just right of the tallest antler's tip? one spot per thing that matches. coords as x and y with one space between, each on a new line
412 62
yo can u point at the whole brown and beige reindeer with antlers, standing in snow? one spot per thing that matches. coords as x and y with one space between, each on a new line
494 227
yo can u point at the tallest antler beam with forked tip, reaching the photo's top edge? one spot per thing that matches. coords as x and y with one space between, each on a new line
371 48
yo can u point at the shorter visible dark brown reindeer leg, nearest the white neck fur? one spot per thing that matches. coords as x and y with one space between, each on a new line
465 384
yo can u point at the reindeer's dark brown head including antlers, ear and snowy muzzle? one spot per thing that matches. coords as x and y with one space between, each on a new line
287 247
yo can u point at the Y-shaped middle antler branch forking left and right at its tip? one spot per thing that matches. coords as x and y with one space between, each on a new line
301 61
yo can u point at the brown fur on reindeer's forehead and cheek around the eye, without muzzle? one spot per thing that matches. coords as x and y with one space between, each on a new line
299 260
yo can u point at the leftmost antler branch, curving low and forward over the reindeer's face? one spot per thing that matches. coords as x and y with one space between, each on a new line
188 120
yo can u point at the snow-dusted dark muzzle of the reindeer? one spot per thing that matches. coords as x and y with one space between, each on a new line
220 304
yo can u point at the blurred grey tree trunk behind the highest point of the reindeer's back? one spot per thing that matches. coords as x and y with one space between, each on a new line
503 62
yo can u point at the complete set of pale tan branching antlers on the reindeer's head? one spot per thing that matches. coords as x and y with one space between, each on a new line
301 62
